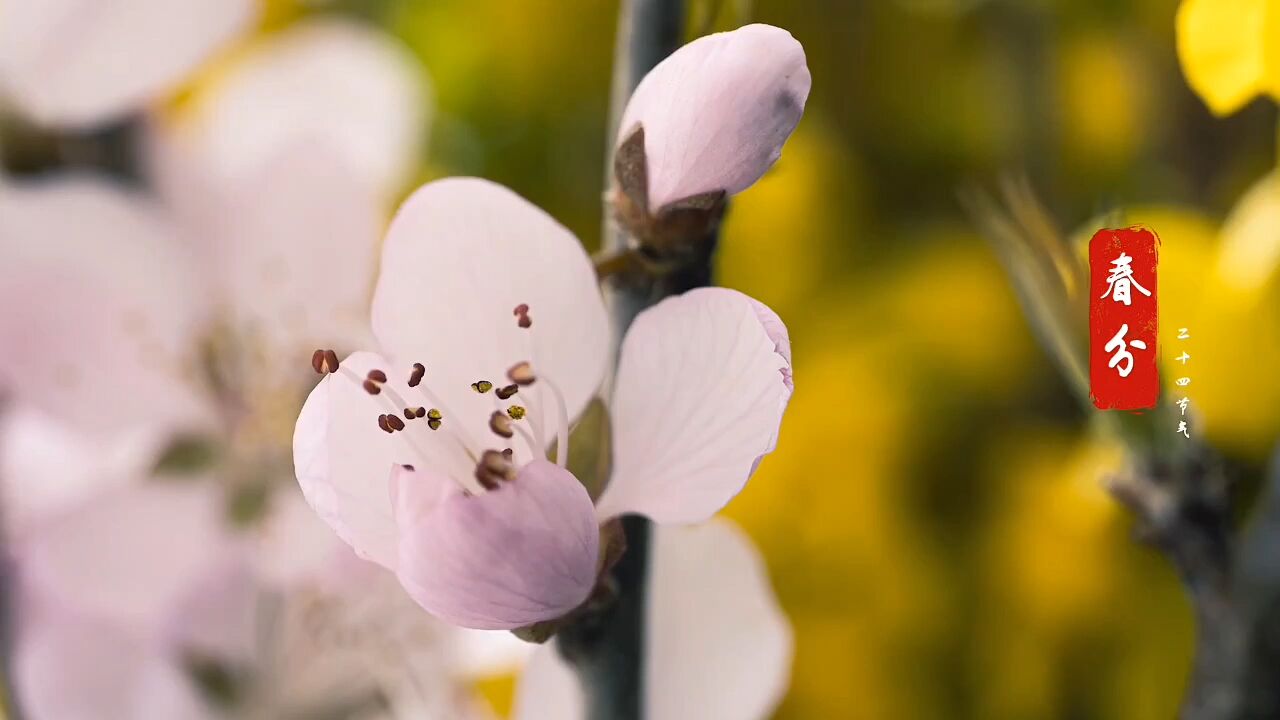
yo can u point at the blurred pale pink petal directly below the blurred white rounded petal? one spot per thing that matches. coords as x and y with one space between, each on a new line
295 245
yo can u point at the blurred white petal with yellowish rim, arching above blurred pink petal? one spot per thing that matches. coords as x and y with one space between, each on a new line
331 83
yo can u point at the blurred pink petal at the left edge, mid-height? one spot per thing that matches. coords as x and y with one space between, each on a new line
102 307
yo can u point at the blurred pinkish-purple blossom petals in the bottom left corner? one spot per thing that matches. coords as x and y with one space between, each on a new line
113 605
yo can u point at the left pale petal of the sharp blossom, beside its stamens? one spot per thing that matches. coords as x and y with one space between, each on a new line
344 462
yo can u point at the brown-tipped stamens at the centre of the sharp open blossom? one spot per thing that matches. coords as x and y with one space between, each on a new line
522 407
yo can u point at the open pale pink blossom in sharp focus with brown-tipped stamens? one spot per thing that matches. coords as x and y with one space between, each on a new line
478 290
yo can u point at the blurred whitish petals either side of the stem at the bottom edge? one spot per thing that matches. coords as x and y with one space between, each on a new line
717 645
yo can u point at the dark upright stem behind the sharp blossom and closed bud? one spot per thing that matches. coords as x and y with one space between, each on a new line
607 650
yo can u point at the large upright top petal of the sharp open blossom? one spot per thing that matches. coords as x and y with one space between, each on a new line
460 257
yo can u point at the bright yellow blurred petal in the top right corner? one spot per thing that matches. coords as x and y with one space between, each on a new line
1231 51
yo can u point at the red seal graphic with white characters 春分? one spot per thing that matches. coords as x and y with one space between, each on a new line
1123 320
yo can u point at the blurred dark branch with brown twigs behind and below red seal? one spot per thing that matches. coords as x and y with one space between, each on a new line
1178 493
